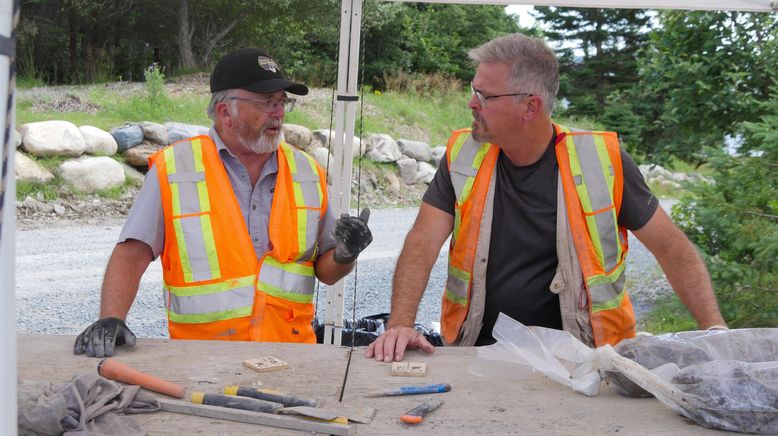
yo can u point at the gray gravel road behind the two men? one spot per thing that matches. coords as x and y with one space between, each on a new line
59 268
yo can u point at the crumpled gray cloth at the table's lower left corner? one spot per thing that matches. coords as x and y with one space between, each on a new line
87 405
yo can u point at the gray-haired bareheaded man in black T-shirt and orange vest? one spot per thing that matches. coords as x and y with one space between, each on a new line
538 215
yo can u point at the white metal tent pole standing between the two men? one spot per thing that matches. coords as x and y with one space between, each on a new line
345 113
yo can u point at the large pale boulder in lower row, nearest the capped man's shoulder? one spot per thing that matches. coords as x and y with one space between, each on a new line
92 174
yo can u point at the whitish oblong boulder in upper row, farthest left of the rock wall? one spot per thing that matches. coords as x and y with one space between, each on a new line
52 138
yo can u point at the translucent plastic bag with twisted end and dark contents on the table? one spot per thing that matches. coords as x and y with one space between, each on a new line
720 379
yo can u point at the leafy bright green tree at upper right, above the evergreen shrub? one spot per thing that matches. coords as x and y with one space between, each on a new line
702 75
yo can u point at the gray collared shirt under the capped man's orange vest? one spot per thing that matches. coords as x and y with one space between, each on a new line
146 221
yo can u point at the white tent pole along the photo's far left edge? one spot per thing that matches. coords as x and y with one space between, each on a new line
8 18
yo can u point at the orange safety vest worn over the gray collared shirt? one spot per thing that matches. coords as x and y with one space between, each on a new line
214 287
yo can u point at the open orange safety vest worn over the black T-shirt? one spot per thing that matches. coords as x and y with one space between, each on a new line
592 179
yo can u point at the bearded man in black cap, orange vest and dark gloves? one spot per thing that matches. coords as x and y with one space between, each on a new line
240 220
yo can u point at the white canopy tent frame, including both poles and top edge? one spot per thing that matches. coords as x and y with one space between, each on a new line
351 17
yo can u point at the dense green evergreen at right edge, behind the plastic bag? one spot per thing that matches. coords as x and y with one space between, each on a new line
735 223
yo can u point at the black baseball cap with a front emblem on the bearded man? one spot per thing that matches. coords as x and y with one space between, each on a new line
253 70
